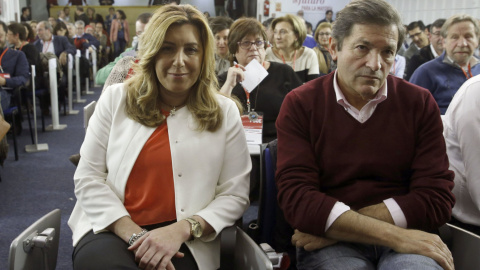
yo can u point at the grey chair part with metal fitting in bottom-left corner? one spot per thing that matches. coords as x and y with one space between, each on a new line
26 251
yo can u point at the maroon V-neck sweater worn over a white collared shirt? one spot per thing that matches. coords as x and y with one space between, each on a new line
325 156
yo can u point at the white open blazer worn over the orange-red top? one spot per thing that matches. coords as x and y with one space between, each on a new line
210 170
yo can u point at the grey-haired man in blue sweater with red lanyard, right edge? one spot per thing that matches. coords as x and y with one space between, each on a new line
444 75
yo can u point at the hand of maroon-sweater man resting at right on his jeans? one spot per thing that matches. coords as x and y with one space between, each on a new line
426 244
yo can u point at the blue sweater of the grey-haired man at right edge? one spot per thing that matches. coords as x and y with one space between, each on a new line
442 79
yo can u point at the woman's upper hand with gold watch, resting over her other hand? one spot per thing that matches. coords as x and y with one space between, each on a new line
155 249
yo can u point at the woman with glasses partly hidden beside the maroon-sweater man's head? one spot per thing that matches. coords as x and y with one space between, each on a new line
322 37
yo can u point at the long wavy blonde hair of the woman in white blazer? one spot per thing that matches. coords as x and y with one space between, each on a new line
143 87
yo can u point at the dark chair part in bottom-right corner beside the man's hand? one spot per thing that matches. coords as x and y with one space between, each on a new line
464 245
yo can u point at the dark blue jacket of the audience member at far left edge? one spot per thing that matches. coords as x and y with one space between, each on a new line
15 63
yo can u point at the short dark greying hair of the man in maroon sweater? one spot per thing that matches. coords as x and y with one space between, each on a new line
376 12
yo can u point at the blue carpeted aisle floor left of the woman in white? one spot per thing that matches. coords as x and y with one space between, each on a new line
40 182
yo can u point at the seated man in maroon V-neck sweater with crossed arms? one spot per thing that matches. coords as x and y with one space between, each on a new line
362 170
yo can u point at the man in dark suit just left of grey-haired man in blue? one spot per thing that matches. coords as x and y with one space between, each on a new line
427 53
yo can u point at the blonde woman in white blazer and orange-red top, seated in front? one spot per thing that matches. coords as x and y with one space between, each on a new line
173 88
